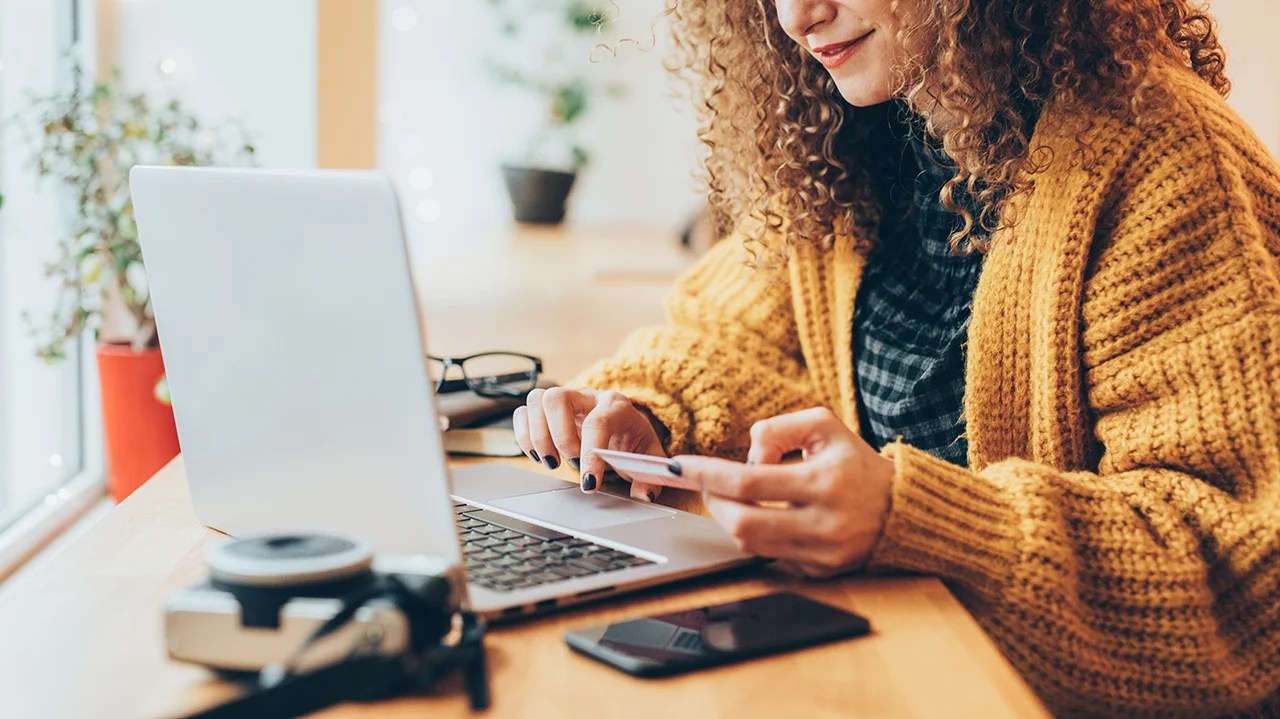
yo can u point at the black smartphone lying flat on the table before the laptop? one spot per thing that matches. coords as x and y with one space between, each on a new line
683 642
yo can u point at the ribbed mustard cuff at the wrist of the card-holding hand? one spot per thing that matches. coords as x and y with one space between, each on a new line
949 523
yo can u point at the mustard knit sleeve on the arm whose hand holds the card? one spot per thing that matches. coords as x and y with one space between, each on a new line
1153 585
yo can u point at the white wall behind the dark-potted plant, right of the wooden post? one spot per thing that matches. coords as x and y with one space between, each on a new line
442 112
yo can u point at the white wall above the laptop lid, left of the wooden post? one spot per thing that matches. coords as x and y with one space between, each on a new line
246 61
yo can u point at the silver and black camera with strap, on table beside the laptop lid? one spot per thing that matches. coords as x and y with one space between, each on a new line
309 601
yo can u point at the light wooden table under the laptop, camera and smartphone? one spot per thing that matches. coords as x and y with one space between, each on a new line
81 635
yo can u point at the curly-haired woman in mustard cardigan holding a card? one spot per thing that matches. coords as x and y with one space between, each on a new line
1035 239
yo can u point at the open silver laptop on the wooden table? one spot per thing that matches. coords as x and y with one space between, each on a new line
295 354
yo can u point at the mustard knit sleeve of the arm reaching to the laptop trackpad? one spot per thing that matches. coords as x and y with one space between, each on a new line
730 356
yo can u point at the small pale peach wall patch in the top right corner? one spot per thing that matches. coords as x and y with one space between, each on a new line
1249 34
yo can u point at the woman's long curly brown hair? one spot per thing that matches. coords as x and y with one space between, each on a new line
781 144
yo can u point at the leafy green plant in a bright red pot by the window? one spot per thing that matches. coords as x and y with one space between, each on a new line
88 140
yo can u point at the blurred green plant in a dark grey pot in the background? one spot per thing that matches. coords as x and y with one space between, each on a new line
546 56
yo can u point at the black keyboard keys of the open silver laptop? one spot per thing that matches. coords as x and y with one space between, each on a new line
506 555
